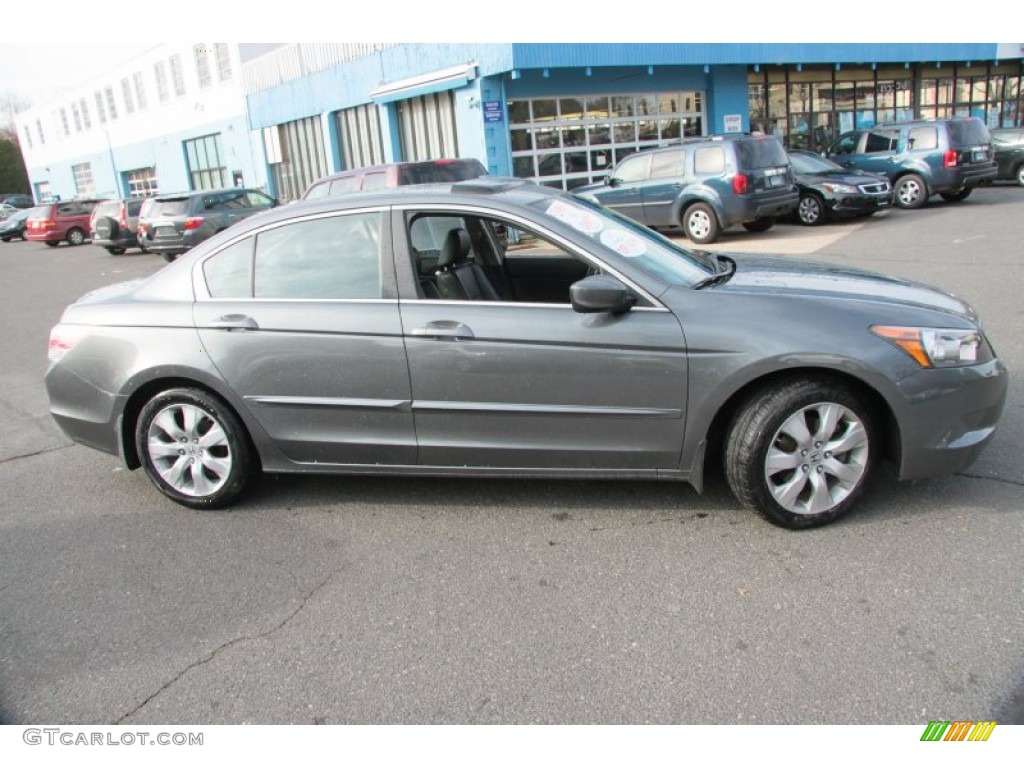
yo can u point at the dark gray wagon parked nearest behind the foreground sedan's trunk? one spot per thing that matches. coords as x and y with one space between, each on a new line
175 224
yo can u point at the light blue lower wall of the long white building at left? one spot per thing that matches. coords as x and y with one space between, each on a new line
166 154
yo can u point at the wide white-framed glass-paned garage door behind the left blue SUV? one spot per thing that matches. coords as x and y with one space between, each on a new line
573 141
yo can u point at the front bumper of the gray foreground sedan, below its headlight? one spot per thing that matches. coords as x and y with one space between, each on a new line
948 417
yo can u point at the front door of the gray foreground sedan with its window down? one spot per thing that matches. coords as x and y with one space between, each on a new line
525 381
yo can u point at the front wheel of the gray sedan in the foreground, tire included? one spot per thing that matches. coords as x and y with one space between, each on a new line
782 458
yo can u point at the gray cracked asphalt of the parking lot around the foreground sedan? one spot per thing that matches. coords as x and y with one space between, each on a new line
426 601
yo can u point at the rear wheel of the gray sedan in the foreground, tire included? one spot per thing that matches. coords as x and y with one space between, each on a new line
181 431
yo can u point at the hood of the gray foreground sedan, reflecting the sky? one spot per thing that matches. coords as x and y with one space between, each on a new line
778 275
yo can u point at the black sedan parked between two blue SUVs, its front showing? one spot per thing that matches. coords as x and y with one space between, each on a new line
829 191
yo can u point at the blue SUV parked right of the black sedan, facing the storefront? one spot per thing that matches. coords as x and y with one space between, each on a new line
922 158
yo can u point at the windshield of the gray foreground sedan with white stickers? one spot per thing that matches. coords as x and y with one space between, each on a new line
650 251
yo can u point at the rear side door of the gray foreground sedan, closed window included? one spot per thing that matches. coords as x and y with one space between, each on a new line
302 320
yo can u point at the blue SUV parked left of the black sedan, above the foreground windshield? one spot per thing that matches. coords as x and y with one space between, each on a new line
704 185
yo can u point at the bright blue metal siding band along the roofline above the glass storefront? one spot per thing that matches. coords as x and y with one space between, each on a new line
533 56
